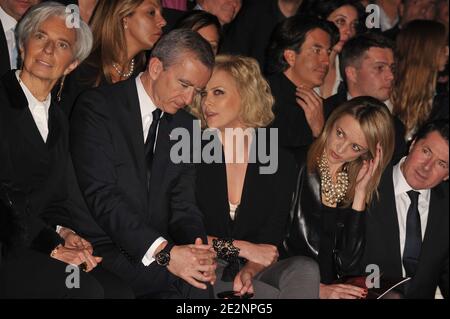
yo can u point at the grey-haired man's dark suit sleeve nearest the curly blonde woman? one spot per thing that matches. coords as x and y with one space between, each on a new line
186 223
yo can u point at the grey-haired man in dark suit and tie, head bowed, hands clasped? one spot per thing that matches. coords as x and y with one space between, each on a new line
144 220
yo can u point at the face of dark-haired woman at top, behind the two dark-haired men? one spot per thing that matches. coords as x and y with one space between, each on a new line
346 19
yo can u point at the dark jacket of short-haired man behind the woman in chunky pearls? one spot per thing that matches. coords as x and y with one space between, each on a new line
400 149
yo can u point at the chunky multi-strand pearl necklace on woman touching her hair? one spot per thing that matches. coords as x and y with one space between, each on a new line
332 193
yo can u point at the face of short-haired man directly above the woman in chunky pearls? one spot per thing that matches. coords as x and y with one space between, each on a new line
374 76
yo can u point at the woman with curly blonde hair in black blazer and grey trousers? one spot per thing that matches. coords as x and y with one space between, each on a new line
244 208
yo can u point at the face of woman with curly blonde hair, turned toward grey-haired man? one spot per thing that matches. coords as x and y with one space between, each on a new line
221 102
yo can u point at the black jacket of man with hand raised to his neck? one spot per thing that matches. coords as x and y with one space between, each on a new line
293 129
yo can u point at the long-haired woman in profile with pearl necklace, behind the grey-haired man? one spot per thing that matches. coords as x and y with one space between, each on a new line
123 30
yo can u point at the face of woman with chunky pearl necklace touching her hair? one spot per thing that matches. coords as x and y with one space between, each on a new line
346 141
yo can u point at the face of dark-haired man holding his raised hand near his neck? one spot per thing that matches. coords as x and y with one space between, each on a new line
310 66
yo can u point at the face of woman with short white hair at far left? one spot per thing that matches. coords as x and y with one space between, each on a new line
48 54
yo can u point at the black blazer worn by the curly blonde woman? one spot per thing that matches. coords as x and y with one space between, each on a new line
263 213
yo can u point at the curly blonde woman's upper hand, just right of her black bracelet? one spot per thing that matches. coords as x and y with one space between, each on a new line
262 254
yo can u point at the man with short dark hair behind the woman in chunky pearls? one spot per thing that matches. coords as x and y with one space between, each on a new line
367 67
